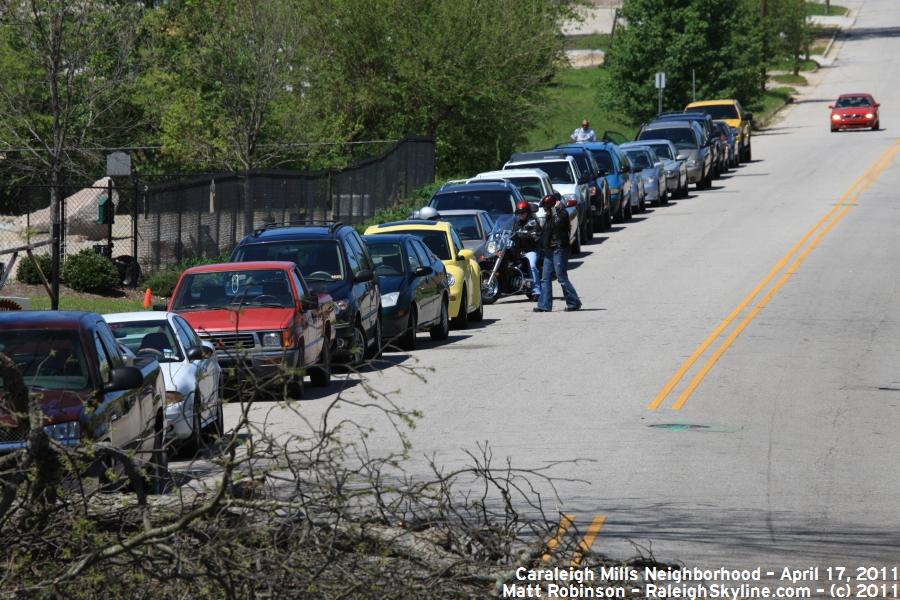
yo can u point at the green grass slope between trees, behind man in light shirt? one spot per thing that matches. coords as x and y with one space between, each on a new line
571 98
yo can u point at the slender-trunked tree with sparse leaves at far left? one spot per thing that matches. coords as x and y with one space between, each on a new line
64 68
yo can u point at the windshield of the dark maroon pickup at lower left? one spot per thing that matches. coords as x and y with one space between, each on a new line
47 359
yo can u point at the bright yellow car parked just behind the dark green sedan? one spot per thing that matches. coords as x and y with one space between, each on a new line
462 268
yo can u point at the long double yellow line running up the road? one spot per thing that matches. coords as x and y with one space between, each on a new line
819 230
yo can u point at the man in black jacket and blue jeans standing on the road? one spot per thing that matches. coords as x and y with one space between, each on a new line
555 246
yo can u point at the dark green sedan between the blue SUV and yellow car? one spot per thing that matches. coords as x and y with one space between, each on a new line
415 291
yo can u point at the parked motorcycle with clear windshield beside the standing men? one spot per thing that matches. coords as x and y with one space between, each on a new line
504 267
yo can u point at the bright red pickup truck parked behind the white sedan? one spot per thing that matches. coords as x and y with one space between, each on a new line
266 324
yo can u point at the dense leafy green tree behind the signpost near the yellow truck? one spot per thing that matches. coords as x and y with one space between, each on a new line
718 40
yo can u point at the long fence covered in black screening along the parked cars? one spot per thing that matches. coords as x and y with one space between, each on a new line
205 216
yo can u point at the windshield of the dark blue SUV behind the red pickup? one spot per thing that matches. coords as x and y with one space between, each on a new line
319 260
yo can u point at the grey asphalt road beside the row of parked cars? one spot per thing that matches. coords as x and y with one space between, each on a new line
785 452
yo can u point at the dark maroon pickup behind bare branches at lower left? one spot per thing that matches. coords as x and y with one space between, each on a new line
86 387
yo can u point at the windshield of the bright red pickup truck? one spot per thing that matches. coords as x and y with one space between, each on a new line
237 287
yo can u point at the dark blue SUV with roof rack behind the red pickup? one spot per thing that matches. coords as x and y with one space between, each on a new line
333 259
